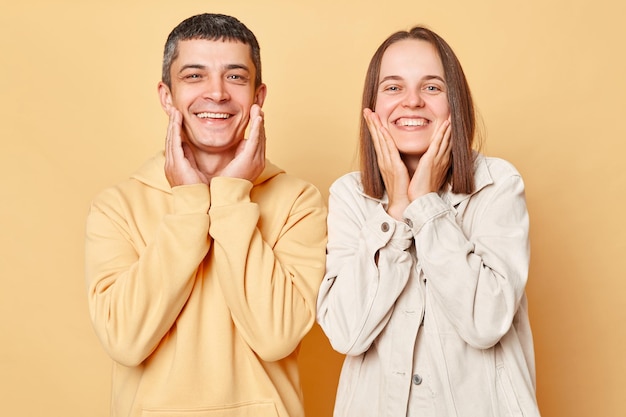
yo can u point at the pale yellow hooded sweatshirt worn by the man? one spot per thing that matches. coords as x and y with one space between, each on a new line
201 295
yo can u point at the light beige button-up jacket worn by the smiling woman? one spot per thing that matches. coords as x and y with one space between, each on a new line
436 301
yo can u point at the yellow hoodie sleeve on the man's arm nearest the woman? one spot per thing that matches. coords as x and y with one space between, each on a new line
269 288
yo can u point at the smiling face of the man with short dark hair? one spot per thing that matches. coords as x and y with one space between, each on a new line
213 88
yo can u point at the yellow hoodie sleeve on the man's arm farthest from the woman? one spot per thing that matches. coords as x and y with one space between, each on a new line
136 290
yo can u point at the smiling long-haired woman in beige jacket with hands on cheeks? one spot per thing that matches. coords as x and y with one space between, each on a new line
428 252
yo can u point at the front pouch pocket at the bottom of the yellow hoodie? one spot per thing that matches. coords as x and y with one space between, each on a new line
248 409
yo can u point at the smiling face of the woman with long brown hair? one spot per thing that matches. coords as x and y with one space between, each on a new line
412 95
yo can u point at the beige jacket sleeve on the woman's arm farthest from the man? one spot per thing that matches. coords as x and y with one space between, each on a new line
476 274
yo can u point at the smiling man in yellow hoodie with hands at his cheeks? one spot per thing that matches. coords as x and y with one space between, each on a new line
203 267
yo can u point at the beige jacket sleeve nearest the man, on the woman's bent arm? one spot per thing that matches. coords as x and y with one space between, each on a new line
368 265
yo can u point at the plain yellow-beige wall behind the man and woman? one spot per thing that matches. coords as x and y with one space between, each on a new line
79 112
